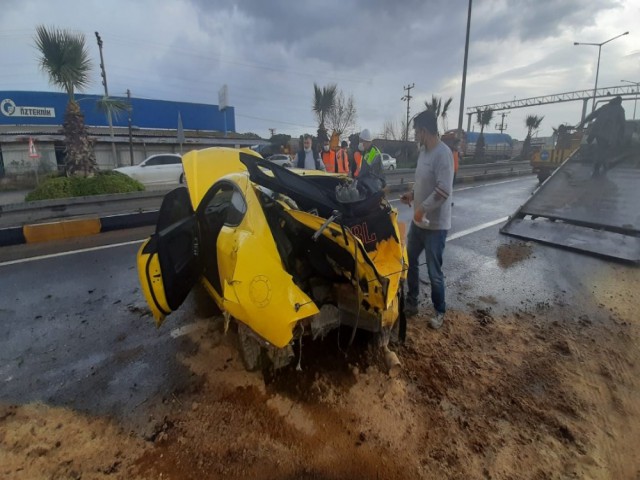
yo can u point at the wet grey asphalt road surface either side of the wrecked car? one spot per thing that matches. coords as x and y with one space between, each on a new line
74 330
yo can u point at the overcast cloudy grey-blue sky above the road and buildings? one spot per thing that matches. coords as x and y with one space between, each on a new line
270 53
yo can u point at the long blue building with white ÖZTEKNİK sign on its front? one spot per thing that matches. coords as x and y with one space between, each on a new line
36 118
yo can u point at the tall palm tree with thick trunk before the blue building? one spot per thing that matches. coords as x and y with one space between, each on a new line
65 59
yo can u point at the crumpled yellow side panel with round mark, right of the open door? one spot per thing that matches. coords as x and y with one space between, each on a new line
242 263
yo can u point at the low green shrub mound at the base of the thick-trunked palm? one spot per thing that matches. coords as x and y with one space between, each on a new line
100 184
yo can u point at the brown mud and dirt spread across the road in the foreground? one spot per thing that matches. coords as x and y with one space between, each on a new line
543 392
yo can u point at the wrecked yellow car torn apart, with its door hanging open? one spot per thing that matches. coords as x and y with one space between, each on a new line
283 252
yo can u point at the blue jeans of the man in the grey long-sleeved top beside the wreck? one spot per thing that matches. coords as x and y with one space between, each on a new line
432 242
